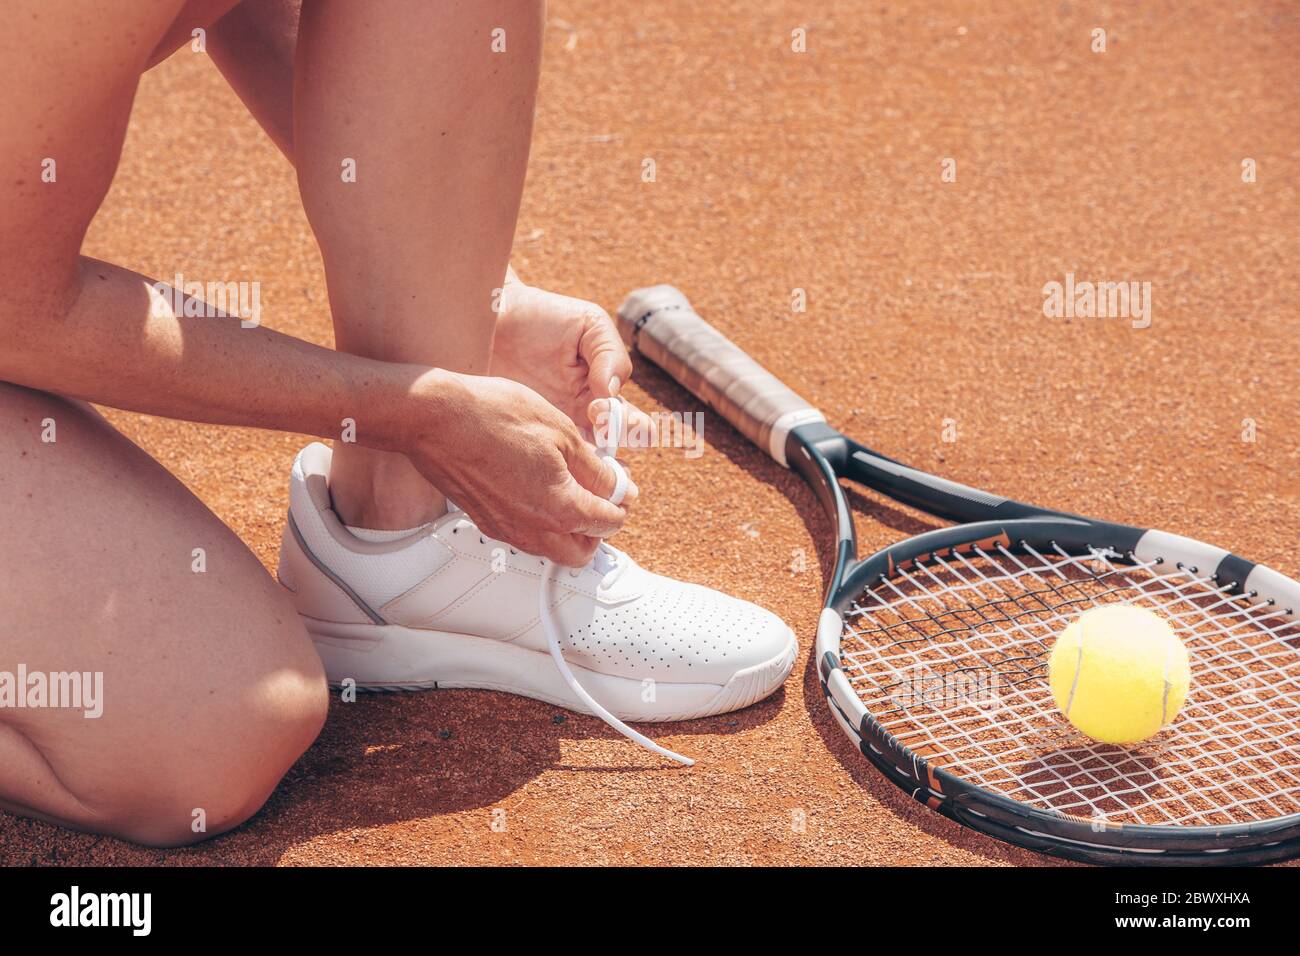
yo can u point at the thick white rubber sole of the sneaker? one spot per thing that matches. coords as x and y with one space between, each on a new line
391 657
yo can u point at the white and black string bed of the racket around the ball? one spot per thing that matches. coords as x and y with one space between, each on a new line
951 657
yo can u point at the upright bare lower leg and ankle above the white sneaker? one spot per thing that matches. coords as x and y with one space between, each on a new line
437 124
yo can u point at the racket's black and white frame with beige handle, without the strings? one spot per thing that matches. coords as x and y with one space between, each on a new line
661 325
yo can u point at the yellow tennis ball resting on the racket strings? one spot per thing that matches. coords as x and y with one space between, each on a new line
1120 673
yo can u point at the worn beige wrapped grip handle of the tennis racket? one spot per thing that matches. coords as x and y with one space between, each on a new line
661 325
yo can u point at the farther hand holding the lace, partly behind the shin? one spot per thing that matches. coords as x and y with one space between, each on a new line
569 352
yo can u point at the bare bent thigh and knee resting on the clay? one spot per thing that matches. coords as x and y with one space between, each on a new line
211 689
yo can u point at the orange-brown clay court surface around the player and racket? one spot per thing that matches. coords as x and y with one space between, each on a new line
781 171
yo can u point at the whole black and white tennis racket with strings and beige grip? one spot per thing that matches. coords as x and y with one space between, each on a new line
933 652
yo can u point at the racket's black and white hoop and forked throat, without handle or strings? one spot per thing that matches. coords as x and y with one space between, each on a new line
822 456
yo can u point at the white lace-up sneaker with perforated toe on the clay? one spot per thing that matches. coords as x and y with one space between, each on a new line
450 608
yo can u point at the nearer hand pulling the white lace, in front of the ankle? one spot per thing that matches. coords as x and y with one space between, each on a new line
517 466
